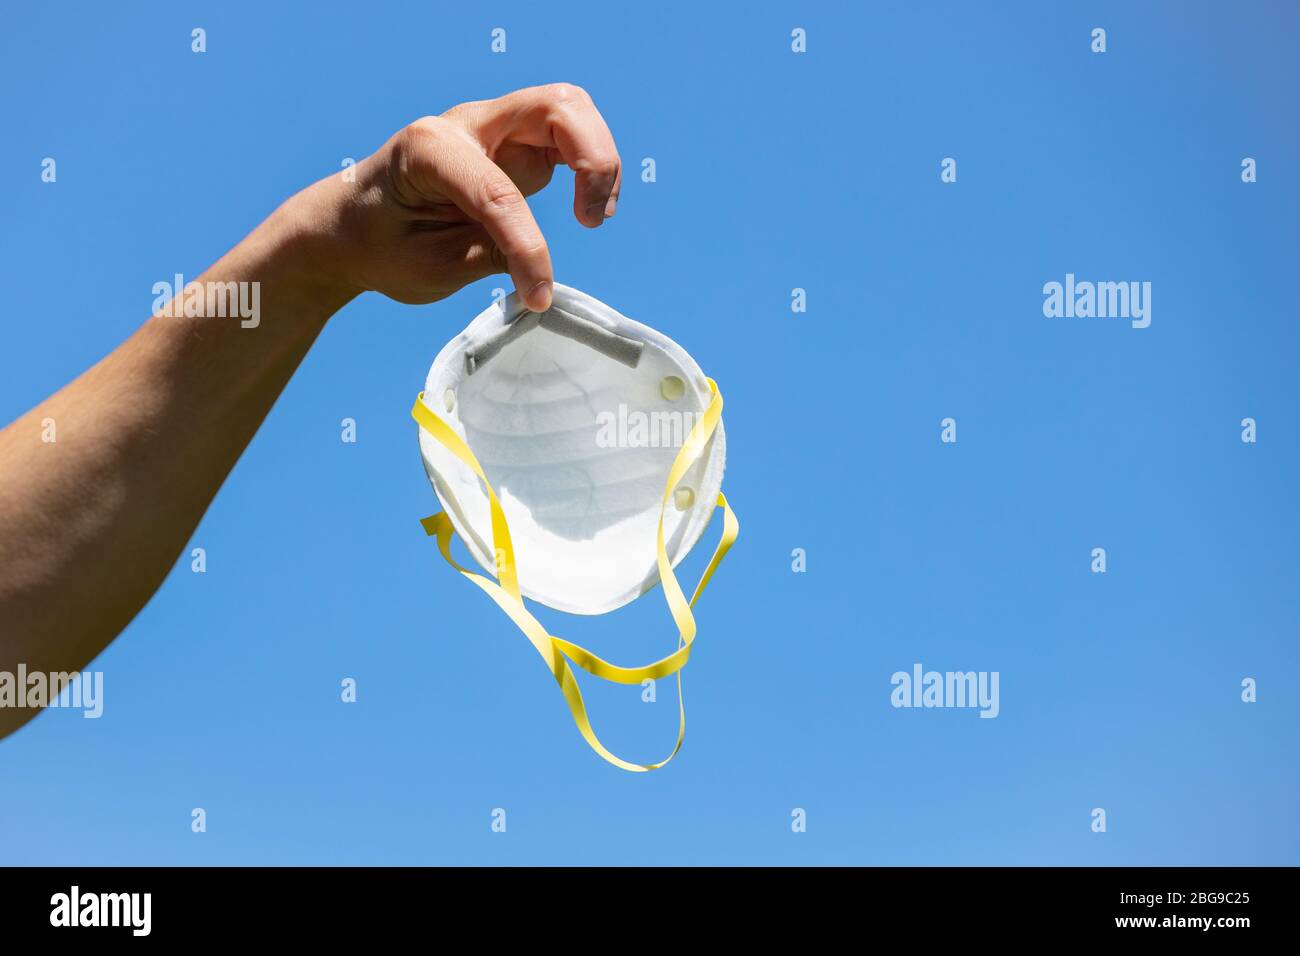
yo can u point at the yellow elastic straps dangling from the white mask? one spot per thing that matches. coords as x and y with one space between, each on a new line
554 650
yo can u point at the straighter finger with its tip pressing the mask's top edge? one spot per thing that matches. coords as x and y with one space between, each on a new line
447 161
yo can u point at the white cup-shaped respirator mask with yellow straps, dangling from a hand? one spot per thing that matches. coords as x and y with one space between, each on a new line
579 456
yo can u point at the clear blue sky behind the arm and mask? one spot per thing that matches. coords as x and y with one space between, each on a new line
775 171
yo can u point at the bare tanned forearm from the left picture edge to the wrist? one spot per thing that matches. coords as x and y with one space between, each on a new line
93 522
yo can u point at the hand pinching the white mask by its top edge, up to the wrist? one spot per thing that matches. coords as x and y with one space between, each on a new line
443 204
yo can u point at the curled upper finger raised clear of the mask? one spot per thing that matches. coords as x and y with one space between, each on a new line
562 116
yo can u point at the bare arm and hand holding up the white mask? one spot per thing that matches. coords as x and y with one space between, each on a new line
92 525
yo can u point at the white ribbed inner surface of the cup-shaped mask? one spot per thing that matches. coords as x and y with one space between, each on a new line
578 447
